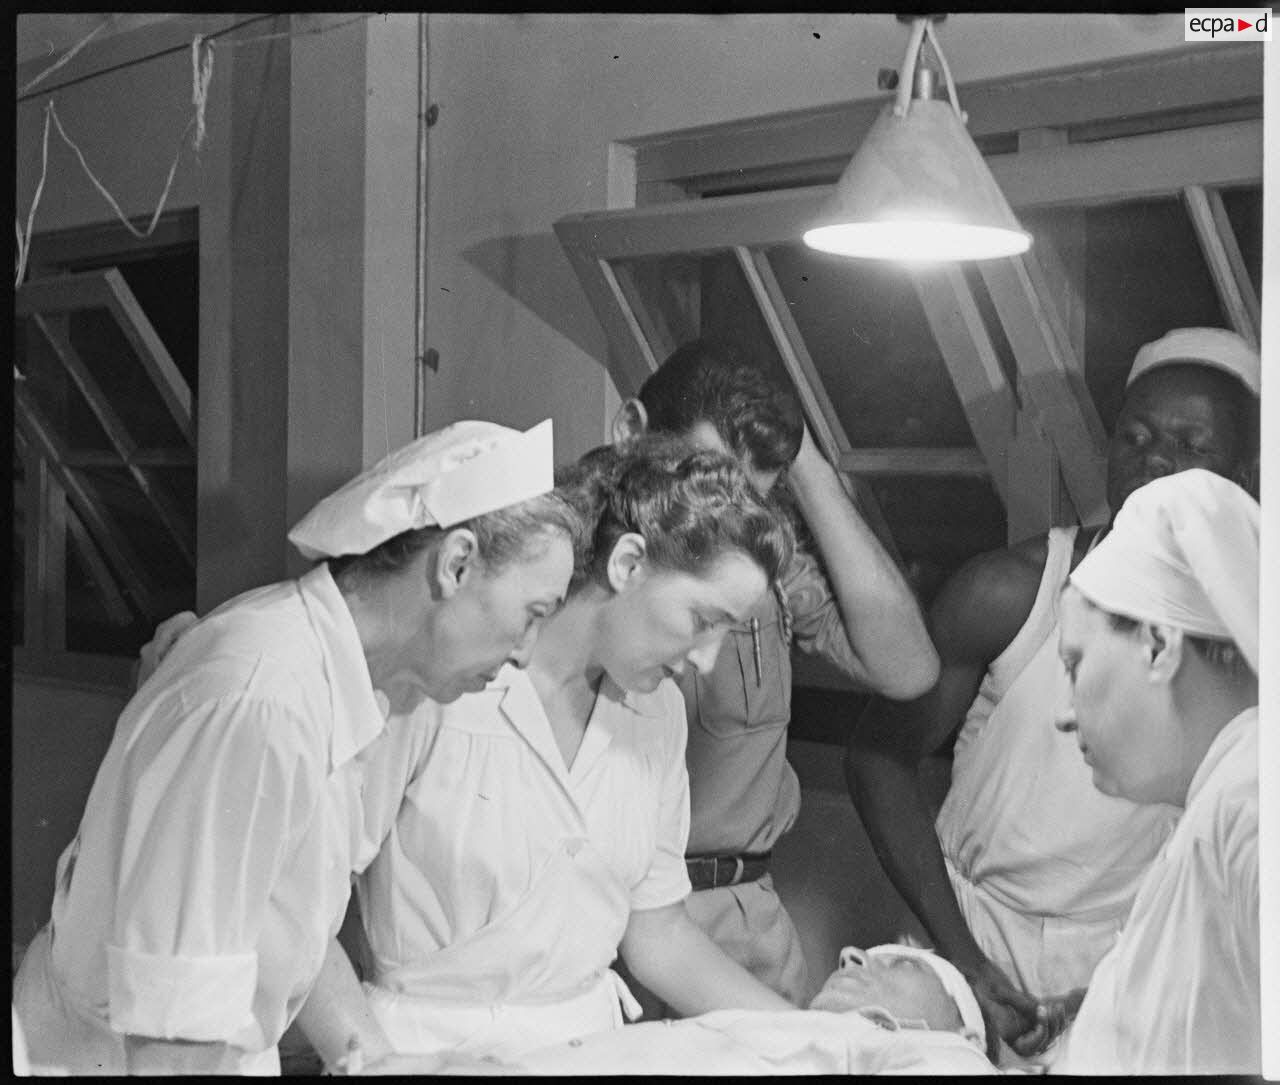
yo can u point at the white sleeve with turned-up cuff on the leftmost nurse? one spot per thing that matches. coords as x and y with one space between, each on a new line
222 794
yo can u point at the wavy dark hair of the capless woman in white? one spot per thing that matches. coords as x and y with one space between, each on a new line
691 506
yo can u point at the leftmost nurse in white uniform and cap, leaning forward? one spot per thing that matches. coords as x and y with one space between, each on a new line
212 868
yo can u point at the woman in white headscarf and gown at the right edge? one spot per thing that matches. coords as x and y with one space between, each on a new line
1160 642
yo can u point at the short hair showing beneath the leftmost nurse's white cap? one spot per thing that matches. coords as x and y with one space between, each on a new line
518 533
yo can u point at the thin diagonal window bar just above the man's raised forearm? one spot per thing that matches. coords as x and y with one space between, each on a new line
829 431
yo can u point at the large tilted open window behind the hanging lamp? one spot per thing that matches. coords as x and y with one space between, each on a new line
968 406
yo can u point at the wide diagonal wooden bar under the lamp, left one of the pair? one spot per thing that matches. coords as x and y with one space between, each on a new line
973 365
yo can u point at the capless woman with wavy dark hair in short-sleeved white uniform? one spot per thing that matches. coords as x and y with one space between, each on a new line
532 832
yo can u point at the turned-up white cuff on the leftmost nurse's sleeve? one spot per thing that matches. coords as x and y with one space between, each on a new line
181 999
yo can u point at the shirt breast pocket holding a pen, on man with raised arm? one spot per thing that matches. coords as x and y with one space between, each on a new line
749 689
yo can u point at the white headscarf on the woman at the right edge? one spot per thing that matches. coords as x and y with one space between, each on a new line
1185 552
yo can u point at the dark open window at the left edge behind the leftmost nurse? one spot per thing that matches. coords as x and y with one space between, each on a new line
104 457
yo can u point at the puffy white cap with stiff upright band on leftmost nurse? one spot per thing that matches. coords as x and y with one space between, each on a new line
442 479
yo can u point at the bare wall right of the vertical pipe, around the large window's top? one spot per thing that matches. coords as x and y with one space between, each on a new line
529 106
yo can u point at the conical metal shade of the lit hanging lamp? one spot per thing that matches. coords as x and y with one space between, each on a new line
918 191
